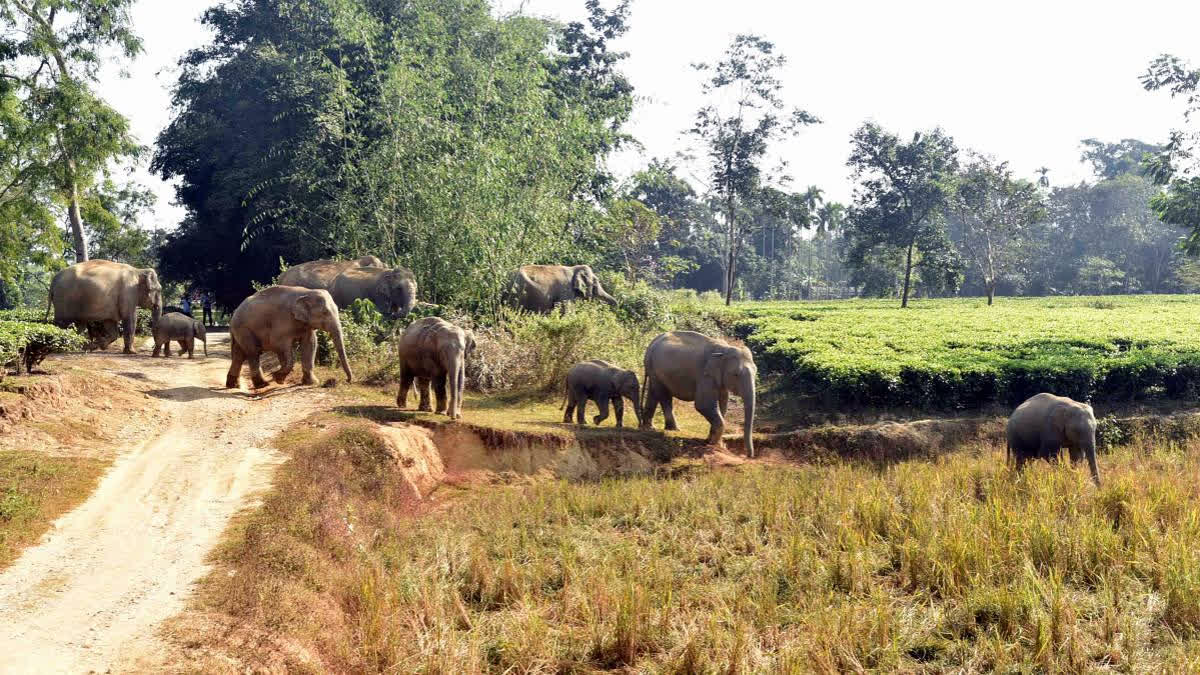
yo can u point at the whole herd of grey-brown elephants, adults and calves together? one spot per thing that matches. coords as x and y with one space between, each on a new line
680 365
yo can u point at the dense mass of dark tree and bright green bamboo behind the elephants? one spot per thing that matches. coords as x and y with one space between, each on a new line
431 134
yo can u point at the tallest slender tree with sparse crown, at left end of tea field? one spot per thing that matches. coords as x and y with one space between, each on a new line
745 117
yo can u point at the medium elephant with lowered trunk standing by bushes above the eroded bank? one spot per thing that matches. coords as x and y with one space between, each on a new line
435 350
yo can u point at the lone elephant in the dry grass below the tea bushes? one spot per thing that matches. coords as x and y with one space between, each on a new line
1045 423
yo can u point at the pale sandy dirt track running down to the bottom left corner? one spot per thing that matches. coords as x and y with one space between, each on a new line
89 596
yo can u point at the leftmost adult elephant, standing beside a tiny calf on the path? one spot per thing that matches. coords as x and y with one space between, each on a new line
107 292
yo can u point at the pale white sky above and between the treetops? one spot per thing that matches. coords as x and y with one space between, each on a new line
1022 80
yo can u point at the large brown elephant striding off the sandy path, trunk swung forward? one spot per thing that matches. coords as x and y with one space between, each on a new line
274 320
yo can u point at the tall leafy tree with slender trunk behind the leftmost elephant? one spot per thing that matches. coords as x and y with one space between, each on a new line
57 50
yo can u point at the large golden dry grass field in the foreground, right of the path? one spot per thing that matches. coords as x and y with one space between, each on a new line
925 566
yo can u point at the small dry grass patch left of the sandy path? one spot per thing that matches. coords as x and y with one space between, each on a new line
35 489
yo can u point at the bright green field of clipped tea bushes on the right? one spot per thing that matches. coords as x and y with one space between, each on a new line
961 354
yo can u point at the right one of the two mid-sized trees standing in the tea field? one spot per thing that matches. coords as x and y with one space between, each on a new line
994 211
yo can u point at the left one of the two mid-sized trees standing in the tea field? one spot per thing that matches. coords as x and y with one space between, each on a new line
903 193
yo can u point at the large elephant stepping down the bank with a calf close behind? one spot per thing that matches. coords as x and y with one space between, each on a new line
692 367
